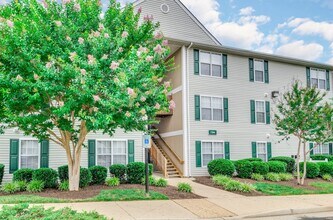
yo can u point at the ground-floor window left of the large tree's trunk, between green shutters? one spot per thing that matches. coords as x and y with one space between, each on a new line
29 154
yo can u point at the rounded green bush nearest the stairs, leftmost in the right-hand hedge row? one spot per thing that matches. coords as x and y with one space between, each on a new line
221 166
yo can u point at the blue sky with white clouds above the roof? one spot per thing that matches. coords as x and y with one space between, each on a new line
295 28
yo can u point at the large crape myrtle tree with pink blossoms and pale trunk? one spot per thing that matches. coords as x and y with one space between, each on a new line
67 71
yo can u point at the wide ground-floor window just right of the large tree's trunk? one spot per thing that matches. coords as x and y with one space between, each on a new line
111 152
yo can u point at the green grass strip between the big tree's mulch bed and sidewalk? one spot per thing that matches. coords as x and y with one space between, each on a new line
104 195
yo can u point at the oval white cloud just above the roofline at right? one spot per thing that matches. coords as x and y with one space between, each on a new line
299 49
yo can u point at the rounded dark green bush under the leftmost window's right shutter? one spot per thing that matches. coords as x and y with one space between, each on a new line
46 175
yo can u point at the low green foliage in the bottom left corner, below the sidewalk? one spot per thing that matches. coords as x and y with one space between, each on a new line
24 212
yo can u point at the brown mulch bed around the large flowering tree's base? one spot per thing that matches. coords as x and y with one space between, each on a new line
92 191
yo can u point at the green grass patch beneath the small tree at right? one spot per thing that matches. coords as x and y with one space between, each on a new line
281 190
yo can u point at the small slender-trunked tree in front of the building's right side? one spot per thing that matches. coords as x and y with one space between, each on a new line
300 112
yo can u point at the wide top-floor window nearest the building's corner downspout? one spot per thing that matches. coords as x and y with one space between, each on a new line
210 64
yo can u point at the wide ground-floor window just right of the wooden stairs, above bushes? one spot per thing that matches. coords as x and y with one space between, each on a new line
211 150
